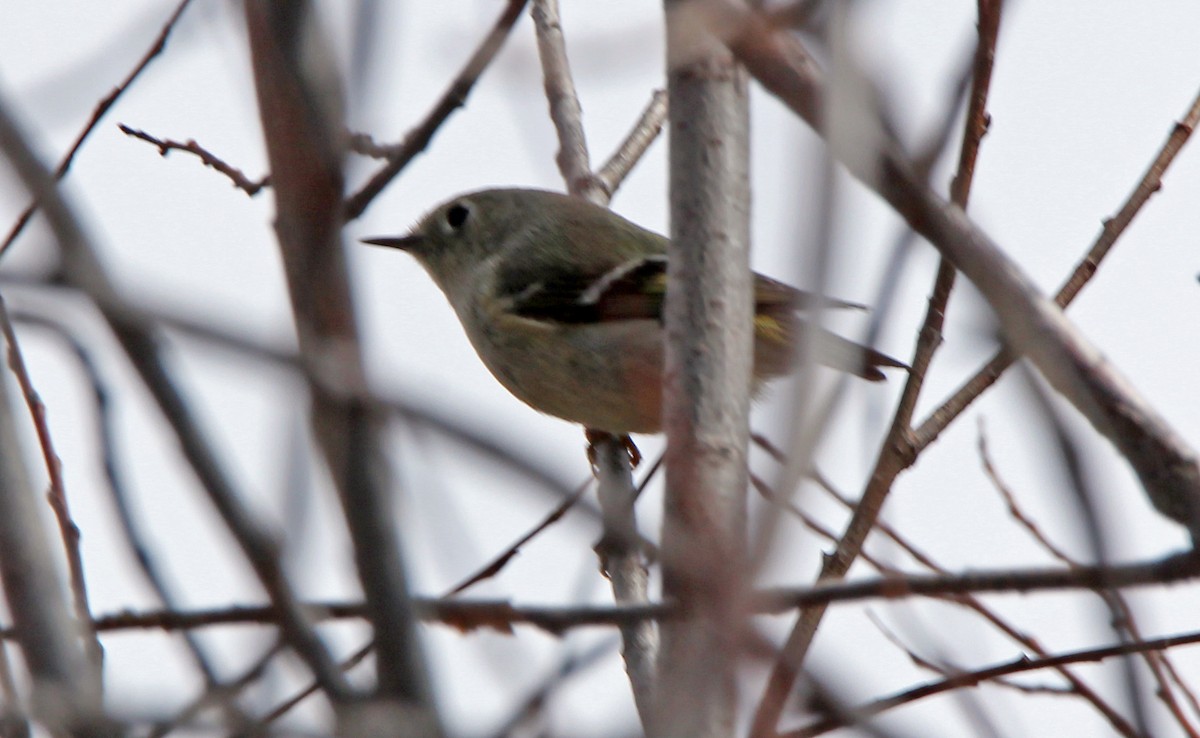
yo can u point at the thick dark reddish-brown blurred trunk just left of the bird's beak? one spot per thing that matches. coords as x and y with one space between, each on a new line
299 104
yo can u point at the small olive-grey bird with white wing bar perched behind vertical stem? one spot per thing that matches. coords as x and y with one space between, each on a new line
563 302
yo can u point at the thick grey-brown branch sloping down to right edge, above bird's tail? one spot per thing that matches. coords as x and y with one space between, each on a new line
1034 326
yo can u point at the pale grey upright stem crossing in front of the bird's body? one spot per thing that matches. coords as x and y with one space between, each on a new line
710 349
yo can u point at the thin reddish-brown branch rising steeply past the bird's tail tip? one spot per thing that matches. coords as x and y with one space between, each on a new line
896 453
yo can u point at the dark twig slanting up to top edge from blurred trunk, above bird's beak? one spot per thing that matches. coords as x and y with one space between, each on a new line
454 98
